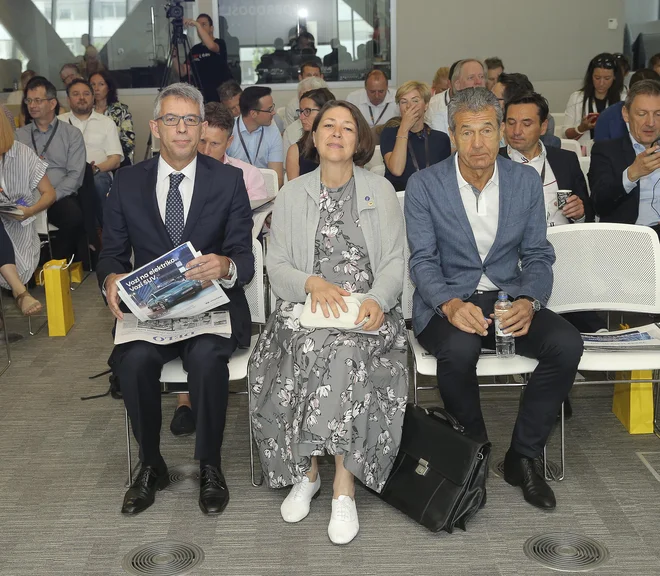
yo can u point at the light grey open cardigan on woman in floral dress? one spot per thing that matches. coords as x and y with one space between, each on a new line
290 257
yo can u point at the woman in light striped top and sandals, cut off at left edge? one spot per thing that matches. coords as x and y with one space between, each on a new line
23 172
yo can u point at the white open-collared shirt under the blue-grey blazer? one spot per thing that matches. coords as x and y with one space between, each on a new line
483 212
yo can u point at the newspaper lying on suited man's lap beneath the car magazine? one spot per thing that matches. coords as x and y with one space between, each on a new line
172 330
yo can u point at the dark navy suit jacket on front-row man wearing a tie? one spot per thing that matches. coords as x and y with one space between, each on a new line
219 222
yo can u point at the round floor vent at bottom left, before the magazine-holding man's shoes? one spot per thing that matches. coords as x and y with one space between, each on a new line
165 558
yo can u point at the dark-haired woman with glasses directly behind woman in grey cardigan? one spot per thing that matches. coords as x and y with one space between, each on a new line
301 159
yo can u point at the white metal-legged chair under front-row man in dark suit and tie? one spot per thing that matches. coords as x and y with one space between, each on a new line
173 372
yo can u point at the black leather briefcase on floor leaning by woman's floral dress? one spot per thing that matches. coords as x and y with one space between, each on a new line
439 475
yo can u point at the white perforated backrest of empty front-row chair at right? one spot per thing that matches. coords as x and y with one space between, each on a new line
605 266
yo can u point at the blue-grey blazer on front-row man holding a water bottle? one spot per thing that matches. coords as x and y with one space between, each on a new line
444 259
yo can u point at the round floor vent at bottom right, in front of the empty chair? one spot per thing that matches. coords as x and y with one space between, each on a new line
566 552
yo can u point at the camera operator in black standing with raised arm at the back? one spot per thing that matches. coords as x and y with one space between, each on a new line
209 59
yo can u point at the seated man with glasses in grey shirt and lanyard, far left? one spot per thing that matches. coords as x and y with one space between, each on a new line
62 147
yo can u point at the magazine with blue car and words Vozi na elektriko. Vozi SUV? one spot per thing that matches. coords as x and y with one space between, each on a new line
160 290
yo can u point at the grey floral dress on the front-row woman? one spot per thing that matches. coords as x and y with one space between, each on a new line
325 391
